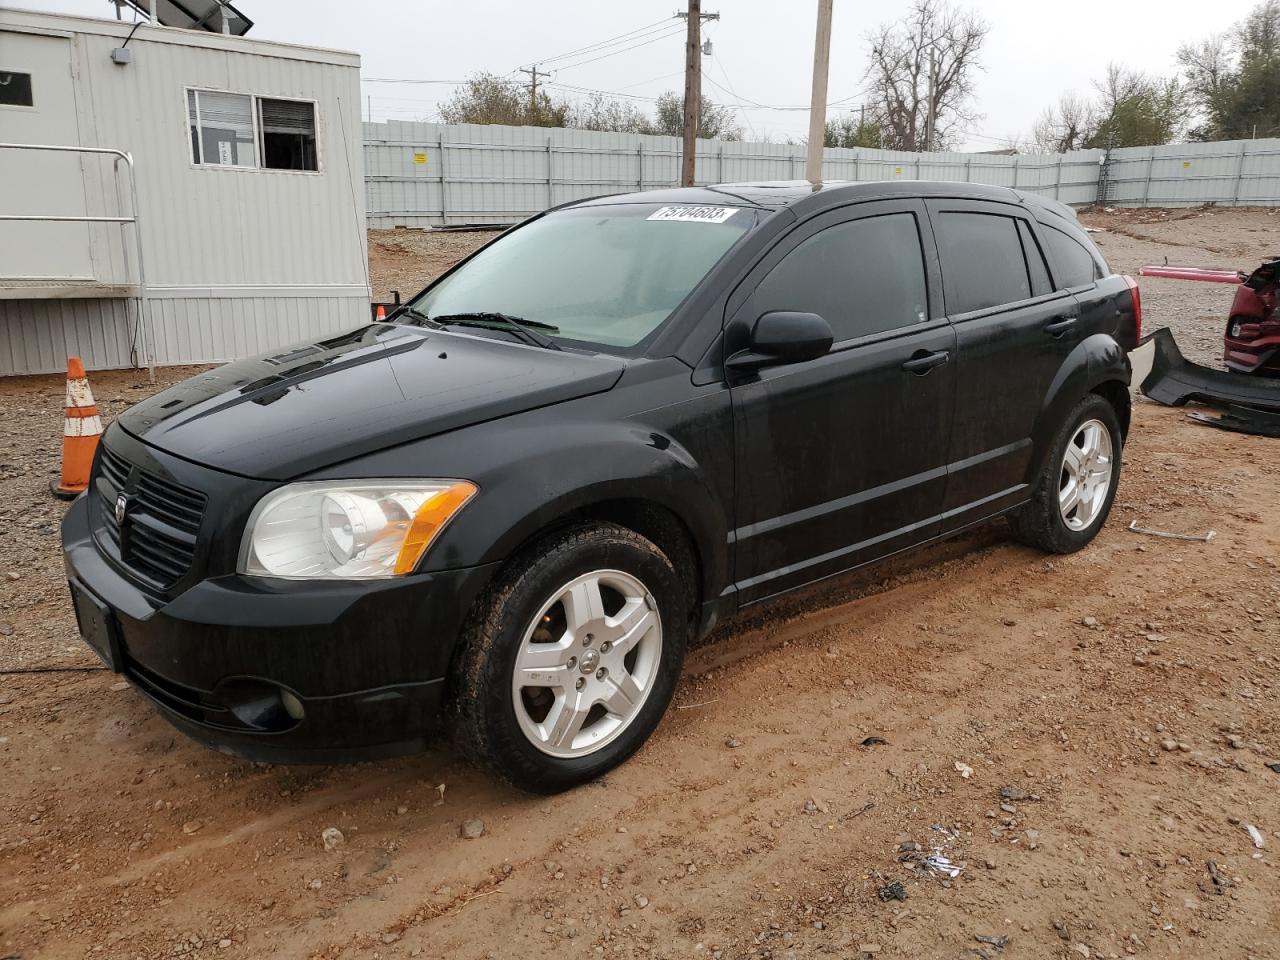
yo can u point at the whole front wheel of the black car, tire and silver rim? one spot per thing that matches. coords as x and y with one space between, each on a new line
570 660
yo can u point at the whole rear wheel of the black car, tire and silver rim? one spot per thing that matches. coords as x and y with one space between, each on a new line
1077 487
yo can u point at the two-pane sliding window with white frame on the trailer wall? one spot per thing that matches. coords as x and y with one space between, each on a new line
237 130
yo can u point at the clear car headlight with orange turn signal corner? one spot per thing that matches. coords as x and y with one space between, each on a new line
349 531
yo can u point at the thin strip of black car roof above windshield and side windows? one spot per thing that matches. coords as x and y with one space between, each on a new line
785 194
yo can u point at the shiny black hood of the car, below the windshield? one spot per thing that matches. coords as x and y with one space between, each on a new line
276 418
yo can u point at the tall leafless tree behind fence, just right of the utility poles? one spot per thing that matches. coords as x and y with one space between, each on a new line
922 75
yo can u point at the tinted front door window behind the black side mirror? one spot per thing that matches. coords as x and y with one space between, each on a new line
862 277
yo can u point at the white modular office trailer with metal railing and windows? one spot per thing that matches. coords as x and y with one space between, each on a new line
249 226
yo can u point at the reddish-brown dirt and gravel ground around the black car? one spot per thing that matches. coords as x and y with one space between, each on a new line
1085 737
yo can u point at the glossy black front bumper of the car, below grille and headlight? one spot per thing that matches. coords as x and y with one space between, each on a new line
280 671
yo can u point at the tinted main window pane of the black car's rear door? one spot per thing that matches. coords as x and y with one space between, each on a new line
982 262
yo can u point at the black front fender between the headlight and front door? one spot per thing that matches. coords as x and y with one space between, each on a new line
537 469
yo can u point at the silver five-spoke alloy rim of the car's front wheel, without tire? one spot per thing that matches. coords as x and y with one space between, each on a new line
587 664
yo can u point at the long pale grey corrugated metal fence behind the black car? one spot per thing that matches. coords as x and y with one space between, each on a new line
428 175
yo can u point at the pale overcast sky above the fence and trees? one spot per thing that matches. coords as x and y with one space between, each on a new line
764 49
